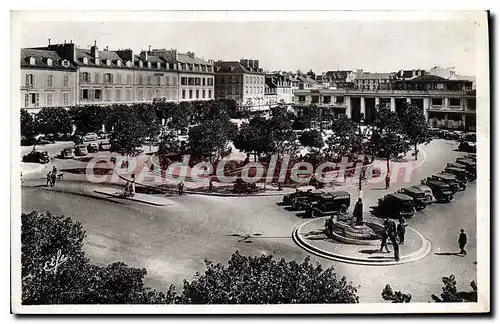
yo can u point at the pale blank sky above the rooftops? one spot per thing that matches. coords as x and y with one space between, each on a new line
370 45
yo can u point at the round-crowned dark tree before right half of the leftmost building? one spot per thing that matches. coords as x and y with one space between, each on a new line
53 120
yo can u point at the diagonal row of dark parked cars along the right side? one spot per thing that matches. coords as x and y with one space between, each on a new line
439 187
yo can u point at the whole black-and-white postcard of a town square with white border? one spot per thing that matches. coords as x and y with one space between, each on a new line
250 162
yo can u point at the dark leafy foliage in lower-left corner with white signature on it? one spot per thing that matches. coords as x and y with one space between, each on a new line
45 238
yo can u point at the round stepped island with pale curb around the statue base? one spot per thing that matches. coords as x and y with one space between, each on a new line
357 245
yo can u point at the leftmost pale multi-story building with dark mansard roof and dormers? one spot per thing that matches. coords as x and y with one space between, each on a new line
47 80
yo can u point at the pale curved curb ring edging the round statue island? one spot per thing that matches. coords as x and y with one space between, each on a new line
415 256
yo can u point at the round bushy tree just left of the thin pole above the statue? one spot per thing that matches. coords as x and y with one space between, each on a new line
345 140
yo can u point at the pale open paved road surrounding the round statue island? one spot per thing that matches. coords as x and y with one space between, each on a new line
172 241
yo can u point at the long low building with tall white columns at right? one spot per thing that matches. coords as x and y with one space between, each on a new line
446 103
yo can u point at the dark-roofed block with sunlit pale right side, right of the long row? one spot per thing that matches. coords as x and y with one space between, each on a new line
242 81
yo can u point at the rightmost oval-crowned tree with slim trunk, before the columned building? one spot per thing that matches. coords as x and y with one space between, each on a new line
417 129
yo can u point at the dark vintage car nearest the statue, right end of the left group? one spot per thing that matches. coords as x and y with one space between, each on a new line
329 203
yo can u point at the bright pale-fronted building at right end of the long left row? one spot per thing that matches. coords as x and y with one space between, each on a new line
196 76
